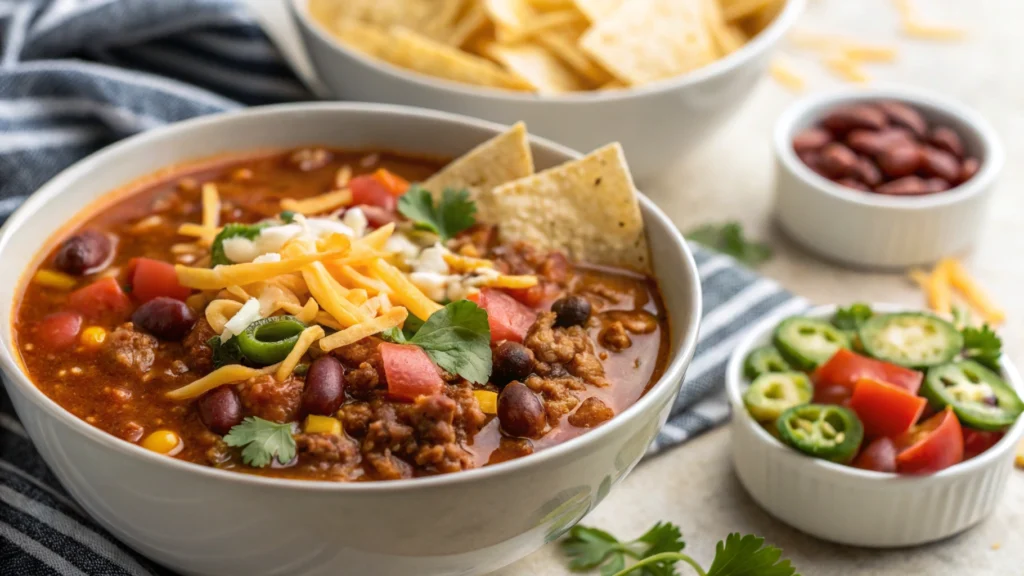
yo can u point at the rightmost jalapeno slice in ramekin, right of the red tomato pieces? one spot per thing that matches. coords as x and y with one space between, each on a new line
980 398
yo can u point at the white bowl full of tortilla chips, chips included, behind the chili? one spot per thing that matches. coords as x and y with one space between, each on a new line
671 91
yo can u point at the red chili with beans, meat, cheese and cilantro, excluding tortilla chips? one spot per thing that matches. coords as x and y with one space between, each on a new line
236 374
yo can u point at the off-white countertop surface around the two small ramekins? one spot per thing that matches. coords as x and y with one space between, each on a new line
731 179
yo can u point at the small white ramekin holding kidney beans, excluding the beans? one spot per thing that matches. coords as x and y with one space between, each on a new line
872 230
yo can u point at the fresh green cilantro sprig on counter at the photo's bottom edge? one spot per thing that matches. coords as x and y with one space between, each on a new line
659 550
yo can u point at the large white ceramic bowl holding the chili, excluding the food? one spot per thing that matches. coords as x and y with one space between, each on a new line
200 520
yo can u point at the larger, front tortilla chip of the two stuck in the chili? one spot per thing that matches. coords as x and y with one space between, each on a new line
587 209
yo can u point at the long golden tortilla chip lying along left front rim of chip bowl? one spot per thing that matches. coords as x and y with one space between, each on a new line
413 52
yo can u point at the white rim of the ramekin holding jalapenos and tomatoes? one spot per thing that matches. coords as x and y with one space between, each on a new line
736 383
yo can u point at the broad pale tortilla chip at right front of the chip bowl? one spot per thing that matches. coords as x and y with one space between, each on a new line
649 40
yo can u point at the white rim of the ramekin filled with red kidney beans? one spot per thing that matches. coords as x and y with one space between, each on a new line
812 107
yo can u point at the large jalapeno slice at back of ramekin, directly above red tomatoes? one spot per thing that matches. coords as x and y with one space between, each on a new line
912 340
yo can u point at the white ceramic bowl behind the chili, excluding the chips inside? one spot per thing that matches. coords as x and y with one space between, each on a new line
657 124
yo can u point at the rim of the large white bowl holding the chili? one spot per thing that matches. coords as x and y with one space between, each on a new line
17 378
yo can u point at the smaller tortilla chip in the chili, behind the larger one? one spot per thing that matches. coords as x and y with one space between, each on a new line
502 159
